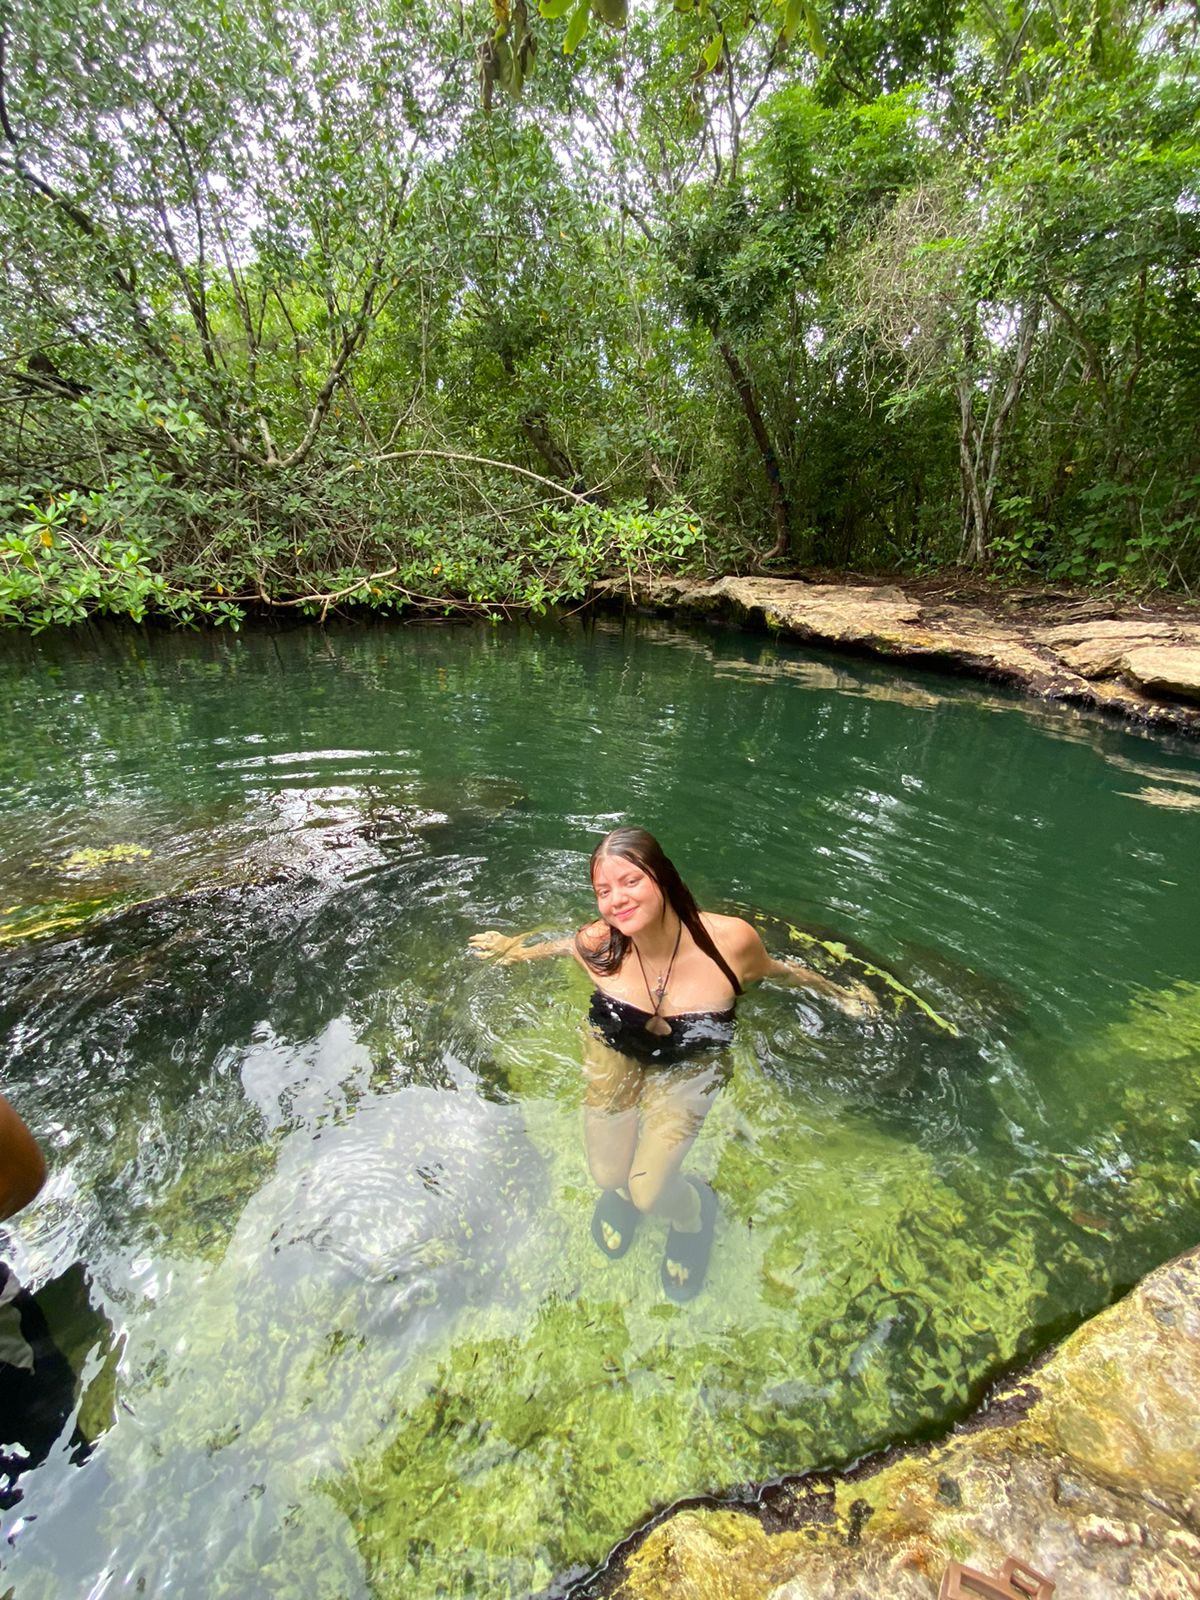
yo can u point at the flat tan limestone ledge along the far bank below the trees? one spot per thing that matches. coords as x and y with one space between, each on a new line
1135 666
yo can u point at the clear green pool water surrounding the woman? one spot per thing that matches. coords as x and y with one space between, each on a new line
318 1226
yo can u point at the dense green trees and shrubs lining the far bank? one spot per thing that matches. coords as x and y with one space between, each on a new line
473 310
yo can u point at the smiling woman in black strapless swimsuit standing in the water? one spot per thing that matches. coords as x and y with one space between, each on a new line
668 978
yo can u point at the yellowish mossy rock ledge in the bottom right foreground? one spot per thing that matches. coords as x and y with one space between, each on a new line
1087 1470
